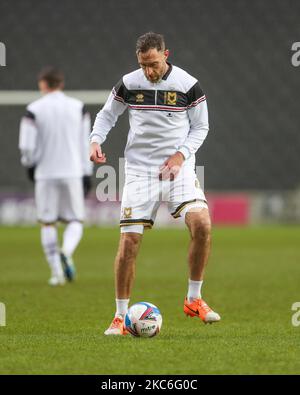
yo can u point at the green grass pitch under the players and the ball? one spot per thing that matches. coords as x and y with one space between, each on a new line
252 280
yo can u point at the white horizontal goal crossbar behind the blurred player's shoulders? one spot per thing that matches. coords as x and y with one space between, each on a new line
17 98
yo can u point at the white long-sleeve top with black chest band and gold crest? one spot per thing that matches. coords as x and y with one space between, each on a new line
164 117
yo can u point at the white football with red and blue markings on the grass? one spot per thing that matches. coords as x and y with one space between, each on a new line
143 319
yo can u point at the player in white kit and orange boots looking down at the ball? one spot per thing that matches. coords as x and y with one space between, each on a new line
168 123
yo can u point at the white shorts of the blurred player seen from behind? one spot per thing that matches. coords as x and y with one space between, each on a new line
59 200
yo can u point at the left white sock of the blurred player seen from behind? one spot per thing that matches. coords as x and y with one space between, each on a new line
50 247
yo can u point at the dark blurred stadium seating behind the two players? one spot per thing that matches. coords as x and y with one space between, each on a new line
241 55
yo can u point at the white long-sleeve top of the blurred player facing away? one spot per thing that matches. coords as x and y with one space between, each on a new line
54 137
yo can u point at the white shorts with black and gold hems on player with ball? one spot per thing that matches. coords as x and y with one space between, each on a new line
143 194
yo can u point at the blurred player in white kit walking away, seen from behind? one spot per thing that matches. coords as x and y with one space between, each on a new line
54 144
